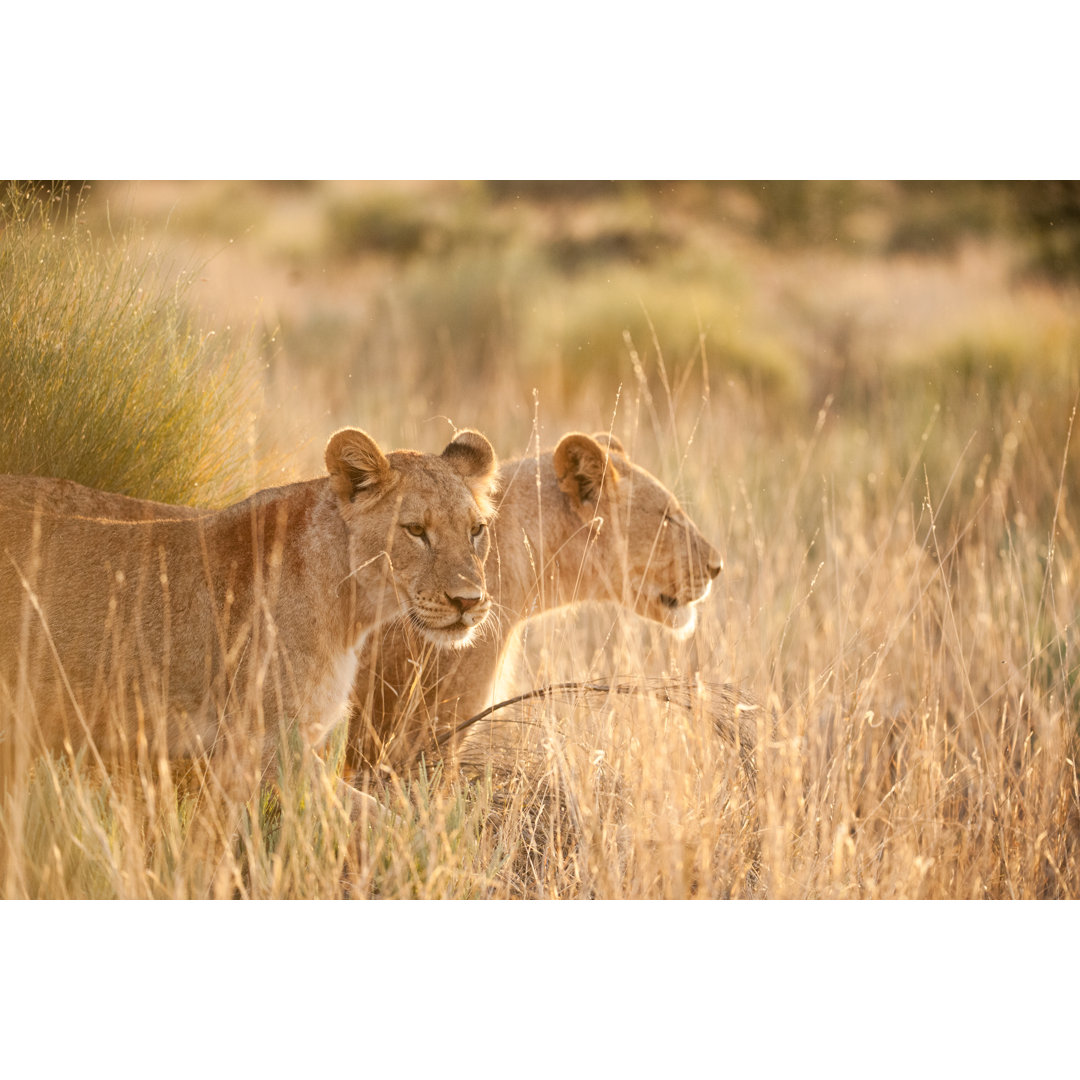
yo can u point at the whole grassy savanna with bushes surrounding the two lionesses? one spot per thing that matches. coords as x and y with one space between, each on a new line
863 394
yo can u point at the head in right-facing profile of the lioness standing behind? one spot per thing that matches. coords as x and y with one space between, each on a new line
651 556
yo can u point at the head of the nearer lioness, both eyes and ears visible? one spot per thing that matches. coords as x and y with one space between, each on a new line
428 516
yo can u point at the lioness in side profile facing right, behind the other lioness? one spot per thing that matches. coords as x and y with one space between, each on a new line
580 523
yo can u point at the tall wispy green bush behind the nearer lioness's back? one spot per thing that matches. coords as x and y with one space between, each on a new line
105 377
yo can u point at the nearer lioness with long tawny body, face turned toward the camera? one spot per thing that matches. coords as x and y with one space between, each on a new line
124 620
